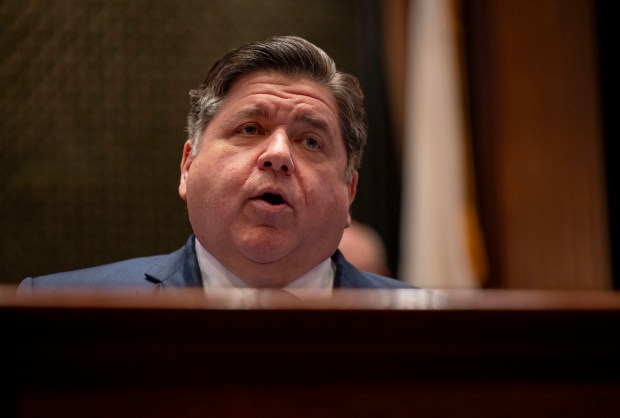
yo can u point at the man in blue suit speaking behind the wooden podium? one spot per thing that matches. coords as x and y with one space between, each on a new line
276 136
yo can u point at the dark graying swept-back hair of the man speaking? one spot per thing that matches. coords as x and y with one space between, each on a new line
292 56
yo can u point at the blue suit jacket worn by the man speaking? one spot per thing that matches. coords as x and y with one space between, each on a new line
180 269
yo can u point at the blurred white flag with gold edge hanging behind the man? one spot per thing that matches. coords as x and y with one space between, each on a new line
441 245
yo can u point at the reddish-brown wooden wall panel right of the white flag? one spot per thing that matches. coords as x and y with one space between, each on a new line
539 143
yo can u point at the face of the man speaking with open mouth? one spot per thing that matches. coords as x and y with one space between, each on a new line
266 192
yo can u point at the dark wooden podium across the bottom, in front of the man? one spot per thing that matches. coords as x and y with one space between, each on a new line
358 354
